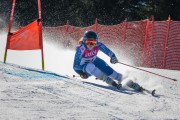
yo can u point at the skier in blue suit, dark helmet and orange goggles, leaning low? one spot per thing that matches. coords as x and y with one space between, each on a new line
87 63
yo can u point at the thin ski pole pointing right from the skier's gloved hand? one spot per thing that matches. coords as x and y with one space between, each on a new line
147 71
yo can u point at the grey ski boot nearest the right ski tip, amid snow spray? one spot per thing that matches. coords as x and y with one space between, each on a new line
134 86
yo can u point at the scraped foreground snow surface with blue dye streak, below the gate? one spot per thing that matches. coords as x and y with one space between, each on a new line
34 94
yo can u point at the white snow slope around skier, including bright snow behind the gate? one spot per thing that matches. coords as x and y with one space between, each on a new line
27 93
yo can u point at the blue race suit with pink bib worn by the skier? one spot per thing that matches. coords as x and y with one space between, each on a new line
85 57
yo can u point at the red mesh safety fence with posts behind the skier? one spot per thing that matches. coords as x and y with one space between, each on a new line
147 43
